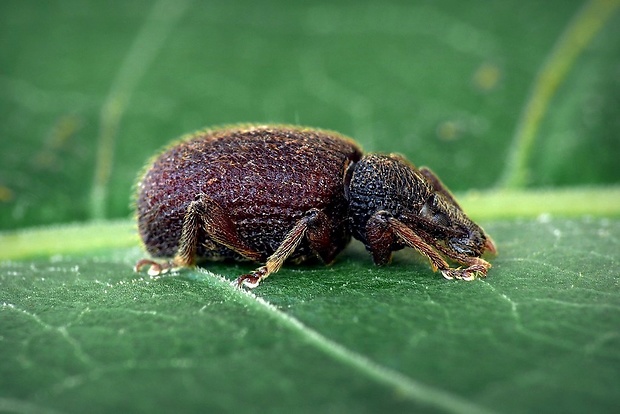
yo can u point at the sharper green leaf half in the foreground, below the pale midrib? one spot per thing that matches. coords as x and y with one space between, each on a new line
85 333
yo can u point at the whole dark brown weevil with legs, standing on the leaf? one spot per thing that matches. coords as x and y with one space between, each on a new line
274 193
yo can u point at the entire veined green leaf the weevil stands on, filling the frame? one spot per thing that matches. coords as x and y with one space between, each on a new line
490 95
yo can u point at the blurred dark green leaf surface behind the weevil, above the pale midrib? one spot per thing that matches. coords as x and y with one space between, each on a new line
90 90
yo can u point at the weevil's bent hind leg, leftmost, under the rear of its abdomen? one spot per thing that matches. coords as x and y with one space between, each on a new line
204 217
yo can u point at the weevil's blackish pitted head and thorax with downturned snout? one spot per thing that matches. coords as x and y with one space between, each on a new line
391 185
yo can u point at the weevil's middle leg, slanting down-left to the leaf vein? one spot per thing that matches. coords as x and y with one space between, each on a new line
316 227
